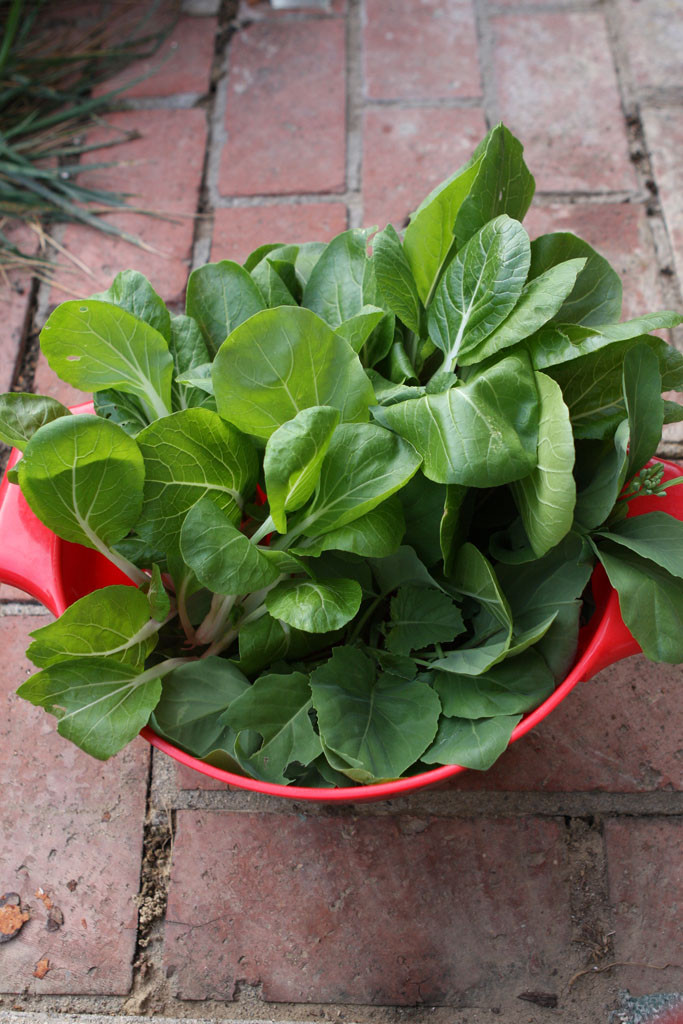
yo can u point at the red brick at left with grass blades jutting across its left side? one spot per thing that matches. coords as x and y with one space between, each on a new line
162 170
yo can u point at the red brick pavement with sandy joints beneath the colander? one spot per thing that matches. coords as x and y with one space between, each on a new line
550 887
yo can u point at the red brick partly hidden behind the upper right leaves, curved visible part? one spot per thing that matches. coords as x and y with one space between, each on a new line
622 234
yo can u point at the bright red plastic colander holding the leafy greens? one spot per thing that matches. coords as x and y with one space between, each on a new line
58 573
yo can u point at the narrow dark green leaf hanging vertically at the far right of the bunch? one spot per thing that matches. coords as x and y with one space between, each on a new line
643 397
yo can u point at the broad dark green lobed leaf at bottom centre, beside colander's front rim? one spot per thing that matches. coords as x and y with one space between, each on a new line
378 728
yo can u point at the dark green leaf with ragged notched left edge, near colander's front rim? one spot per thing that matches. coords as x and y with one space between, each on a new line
277 708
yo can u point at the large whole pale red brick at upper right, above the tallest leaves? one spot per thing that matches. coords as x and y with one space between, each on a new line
551 70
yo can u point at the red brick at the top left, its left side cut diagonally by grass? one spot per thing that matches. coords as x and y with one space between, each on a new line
183 64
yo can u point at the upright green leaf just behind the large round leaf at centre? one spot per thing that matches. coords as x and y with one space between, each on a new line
335 288
